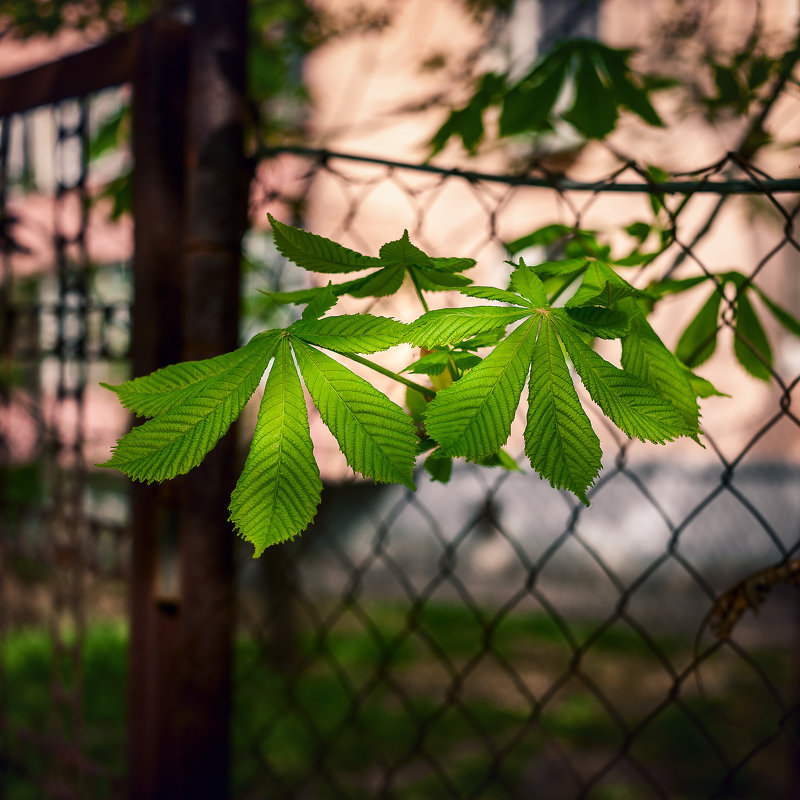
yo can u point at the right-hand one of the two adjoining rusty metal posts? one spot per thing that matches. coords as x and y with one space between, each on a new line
216 204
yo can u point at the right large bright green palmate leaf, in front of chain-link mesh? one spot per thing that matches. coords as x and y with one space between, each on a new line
473 416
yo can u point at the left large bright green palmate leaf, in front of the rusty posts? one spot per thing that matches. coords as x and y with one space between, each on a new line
276 497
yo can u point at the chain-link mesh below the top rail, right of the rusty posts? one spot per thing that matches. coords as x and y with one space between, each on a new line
494 638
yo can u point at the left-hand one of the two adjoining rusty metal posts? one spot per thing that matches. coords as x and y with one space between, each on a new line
158 200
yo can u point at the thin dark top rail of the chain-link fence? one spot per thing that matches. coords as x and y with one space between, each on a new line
754 185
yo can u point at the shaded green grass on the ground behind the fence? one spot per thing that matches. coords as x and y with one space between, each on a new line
360 703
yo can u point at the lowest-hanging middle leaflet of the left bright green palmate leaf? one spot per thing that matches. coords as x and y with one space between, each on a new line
279 489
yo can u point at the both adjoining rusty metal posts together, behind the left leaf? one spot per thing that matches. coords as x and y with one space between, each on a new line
190 198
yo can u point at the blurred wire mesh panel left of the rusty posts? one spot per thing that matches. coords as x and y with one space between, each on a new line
63 553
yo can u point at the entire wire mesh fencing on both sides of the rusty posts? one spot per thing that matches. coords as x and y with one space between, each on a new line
489 638
